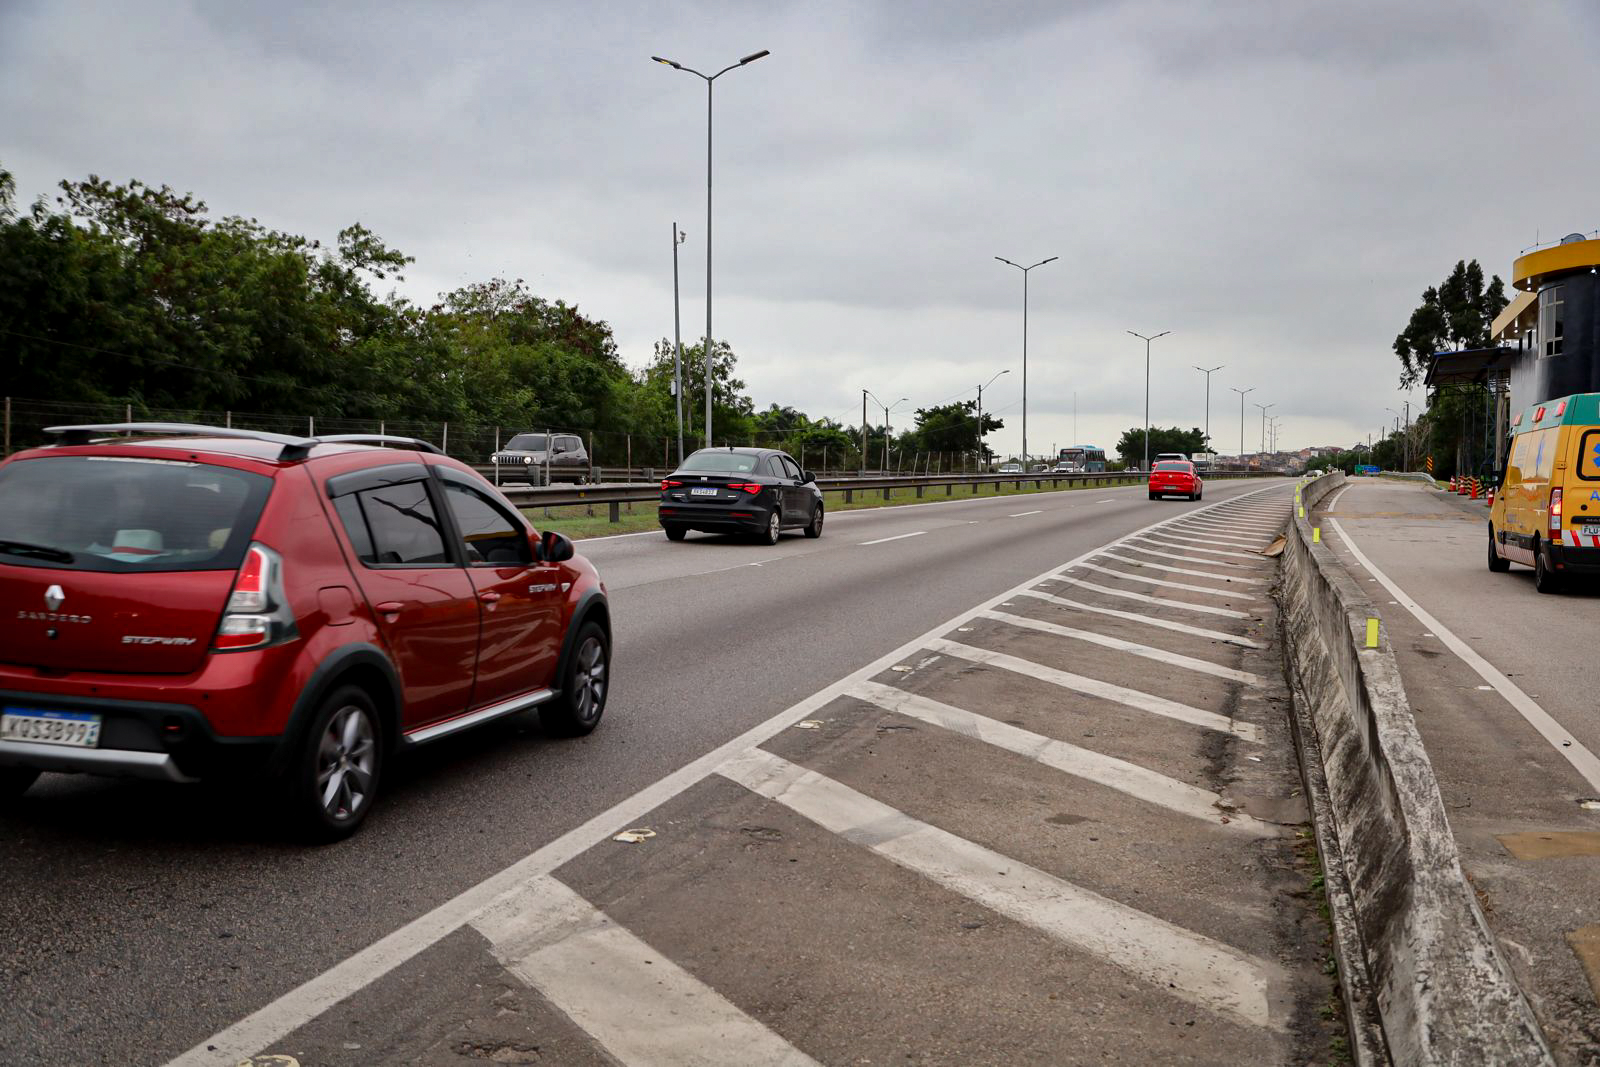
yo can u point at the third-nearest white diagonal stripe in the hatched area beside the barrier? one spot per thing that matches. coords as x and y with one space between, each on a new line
1103 770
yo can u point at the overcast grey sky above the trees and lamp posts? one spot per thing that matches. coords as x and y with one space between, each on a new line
1276 183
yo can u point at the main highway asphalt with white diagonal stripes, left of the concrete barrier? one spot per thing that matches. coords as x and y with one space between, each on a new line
142 919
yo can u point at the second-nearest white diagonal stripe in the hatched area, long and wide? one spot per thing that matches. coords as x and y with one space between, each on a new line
1154 951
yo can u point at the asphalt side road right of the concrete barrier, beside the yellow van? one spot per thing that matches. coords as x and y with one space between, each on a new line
1503 682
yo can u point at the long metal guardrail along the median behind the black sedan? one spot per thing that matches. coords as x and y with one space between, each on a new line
615 495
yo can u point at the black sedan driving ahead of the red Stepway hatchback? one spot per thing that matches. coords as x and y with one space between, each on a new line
758 492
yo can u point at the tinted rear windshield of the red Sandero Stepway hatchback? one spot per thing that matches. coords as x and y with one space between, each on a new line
127 514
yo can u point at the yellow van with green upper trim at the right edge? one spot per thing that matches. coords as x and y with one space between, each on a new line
1546 510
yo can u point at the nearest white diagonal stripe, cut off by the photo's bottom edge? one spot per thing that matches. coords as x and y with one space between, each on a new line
639 1005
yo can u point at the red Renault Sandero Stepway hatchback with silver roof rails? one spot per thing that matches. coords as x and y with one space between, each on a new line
198 602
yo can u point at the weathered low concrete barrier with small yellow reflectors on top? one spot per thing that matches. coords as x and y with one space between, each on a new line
1423 978
